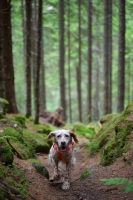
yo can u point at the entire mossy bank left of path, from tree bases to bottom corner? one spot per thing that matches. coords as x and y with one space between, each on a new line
20 137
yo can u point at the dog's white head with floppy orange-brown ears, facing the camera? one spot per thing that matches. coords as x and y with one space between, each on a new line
63 138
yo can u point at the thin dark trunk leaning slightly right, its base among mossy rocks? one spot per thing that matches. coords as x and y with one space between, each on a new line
37 82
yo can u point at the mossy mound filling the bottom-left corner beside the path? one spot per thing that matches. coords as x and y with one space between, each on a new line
13 183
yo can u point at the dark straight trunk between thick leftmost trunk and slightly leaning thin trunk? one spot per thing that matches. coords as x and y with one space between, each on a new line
28 57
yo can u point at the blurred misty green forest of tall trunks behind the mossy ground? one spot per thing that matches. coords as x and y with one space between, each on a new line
71 53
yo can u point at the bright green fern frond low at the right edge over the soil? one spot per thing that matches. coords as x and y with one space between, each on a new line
127 184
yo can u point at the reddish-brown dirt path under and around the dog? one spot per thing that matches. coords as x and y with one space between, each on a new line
81 189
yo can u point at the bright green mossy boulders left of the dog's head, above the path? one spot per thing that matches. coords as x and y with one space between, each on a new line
17 137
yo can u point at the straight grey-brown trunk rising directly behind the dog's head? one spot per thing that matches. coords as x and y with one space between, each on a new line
62 57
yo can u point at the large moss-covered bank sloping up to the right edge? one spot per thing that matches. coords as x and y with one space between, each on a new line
114 138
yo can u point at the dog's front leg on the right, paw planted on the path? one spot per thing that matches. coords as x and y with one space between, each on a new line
66 183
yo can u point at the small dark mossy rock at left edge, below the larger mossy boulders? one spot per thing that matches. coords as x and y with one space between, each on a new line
6 154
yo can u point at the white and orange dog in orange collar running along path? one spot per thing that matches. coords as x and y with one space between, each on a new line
62 152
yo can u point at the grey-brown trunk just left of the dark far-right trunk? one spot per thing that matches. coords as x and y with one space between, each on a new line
107 56
